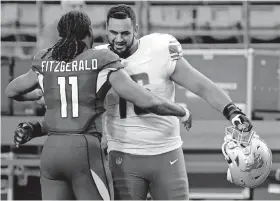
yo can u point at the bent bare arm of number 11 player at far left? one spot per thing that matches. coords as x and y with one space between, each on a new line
22 88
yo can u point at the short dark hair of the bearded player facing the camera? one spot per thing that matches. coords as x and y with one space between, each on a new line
122 11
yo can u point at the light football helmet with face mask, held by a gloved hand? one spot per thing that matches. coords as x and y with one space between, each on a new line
248 156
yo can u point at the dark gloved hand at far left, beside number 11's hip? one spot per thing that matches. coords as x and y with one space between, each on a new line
23 133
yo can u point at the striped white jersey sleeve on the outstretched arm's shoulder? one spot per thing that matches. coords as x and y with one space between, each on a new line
174 52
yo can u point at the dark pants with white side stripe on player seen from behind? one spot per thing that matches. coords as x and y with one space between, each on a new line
72 167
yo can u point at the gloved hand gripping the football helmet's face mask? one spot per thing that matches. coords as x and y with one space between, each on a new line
241 122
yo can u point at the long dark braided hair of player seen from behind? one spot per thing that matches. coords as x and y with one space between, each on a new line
72 28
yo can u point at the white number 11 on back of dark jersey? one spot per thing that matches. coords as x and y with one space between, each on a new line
73 81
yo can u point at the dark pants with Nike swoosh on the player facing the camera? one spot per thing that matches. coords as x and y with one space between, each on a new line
164 176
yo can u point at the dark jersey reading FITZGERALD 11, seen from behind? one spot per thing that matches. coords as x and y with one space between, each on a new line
74 92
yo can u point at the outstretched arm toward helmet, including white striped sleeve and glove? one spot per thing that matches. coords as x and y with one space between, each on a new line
182 73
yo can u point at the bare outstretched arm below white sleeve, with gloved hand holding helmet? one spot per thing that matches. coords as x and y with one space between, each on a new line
188 77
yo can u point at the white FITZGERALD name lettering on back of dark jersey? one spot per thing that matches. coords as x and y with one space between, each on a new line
74 66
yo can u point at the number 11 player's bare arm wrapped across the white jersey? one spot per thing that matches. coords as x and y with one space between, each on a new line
126 88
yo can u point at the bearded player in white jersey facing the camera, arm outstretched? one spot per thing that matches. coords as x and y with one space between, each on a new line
145 153
